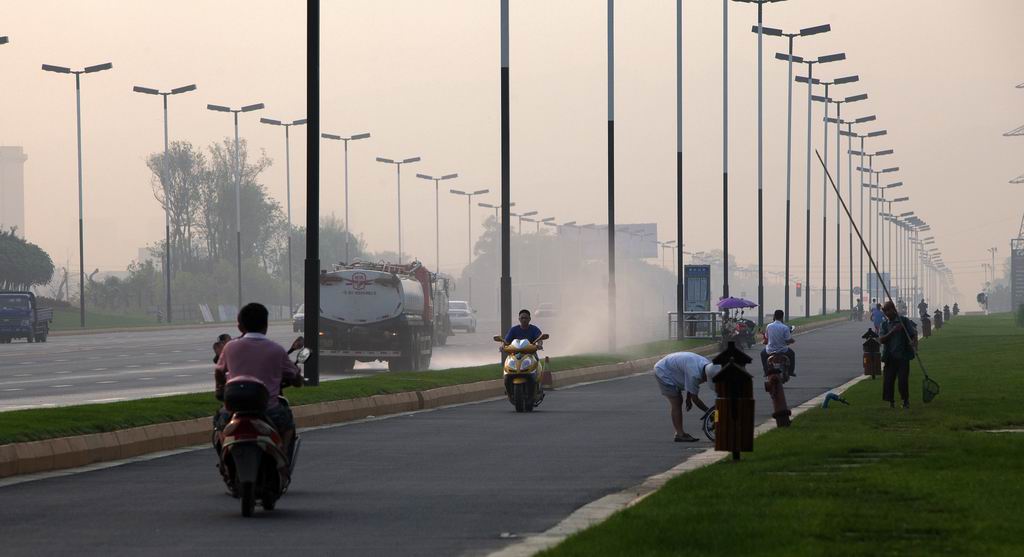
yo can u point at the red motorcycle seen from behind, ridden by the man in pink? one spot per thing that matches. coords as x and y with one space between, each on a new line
254 461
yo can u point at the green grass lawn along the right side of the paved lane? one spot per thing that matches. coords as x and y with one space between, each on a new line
862 481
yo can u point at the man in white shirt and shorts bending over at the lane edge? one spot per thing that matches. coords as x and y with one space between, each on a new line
679 376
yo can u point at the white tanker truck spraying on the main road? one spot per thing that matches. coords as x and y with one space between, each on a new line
378 313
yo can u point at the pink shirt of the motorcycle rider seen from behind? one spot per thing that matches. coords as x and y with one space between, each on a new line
255 356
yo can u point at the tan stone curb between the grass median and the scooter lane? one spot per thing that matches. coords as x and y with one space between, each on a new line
65 453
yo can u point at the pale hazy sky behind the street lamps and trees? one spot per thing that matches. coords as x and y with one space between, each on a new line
423 78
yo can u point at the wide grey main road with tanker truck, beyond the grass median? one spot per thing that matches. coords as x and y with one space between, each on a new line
110 367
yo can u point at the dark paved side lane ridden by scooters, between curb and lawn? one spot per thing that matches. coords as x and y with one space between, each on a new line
445 483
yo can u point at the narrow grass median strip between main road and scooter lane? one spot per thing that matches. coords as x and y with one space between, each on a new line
36 424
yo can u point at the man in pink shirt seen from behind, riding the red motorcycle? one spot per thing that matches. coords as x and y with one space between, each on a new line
254 356
